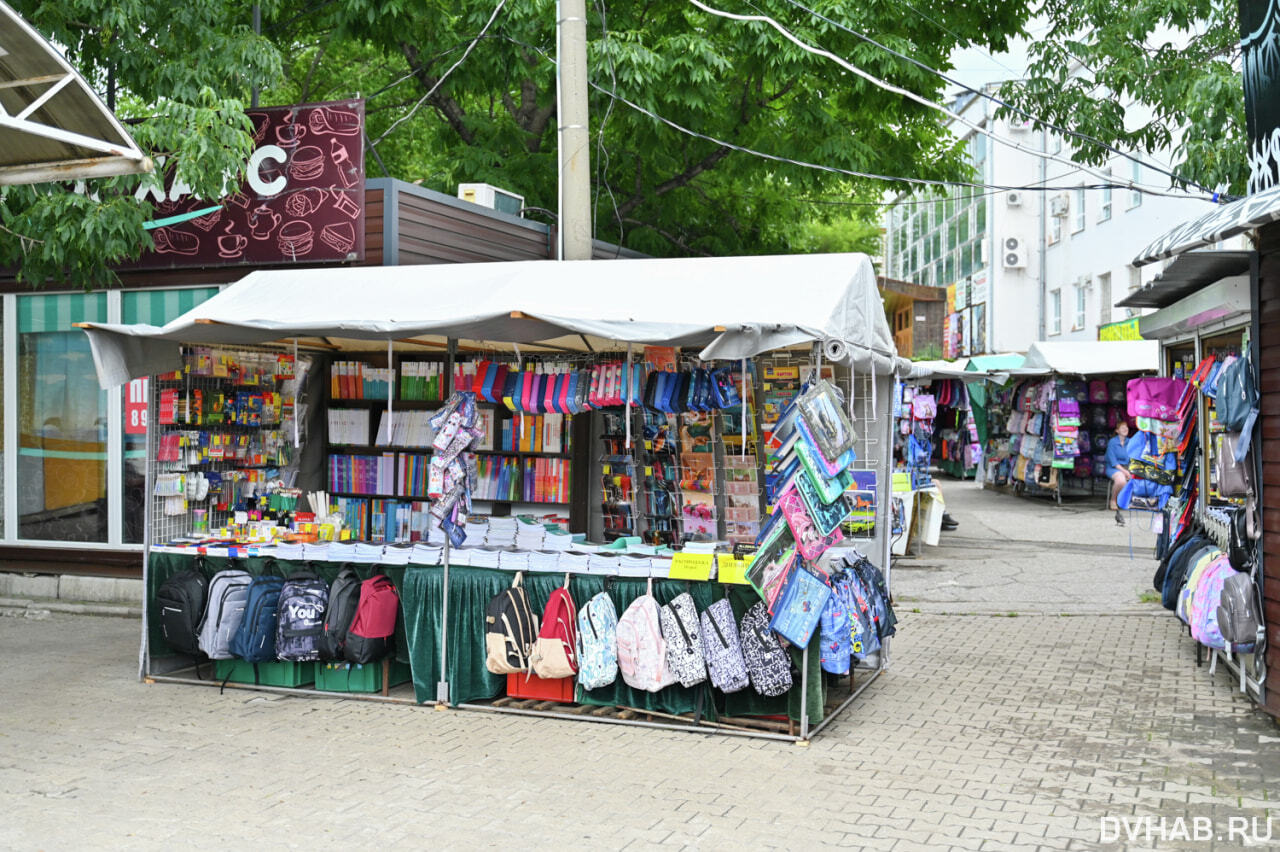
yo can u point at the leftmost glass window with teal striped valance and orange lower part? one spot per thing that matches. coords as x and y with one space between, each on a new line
62 420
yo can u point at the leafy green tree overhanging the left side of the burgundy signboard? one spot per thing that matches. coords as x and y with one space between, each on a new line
181 75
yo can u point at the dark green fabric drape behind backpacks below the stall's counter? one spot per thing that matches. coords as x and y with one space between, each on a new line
419 631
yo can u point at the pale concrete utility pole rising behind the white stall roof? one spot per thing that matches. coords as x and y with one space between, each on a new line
574 140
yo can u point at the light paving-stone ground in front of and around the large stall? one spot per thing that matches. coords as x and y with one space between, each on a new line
989 732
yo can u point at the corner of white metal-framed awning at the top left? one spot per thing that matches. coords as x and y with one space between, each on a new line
53 127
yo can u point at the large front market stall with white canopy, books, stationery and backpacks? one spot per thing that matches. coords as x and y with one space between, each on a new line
647 433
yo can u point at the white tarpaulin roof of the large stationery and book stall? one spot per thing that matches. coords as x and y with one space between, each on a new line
729 308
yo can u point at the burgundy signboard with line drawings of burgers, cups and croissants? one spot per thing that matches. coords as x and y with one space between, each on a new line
303 200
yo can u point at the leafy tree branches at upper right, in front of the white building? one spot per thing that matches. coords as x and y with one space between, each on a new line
1169 58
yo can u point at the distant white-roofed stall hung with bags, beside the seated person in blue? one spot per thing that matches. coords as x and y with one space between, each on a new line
1064 404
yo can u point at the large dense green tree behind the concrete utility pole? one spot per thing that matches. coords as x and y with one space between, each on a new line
659 190
